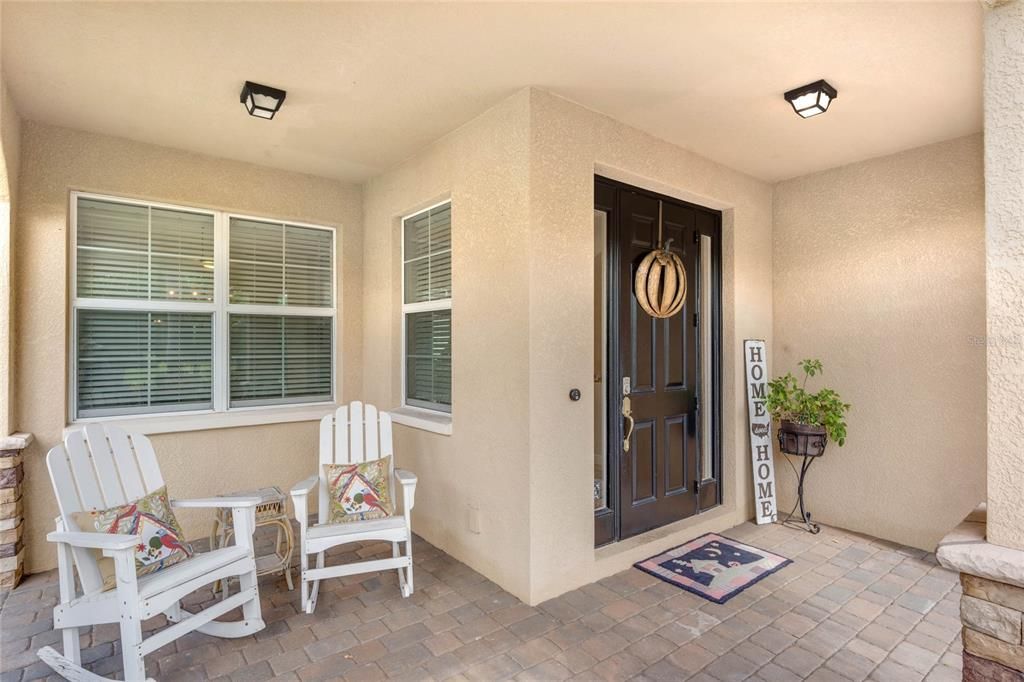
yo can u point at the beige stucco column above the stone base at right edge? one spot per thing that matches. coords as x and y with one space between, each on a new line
1005 260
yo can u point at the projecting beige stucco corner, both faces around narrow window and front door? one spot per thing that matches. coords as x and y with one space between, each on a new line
522 181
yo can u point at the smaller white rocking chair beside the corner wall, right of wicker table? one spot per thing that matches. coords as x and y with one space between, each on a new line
355 434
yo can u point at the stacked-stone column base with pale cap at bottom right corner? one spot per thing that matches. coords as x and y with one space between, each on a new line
993 602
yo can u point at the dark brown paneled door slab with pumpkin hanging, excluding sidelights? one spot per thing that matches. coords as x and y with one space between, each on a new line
659 364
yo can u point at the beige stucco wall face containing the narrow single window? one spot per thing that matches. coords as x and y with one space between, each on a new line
484 465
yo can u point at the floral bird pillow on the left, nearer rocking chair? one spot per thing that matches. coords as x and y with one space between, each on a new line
162 543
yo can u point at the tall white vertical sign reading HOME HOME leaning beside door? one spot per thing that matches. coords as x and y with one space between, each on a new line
760 422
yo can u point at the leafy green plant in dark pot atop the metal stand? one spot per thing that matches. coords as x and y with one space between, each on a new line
807 421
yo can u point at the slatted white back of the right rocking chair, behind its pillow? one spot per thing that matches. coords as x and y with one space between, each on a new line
355 434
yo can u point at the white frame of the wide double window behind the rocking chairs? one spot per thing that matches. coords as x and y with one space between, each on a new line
222 415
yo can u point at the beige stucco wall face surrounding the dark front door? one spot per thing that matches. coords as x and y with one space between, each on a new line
570 145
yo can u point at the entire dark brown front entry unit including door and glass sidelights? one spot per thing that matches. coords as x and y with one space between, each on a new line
670 369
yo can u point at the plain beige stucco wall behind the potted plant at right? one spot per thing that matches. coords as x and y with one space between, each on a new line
880 272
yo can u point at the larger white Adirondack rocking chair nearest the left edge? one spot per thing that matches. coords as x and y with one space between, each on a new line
99 468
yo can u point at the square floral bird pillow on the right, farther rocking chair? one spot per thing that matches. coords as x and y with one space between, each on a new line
360 492
